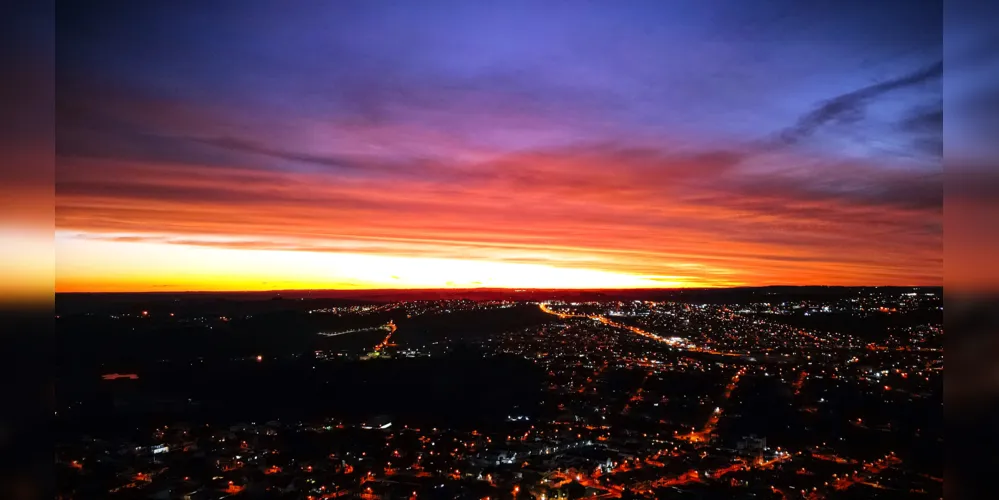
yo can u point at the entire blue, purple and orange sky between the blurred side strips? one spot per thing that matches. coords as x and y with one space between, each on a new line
534 144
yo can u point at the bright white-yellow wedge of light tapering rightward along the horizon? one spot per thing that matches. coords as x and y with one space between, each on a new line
88 265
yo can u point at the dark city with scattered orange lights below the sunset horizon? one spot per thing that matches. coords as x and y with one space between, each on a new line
503 398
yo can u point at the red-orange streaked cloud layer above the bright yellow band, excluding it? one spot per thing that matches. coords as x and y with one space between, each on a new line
607 209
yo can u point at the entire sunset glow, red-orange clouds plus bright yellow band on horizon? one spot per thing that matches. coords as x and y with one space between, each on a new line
561 222
